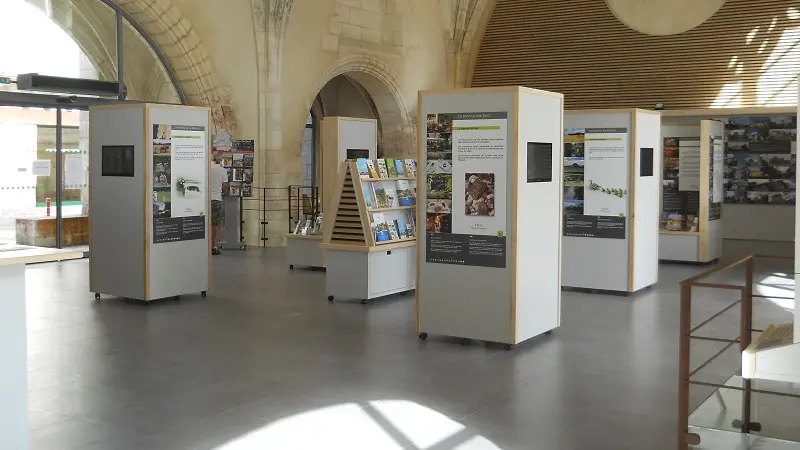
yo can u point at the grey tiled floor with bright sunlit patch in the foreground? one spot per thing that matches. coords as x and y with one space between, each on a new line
265 362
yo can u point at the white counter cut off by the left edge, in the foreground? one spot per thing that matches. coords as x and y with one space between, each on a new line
13 339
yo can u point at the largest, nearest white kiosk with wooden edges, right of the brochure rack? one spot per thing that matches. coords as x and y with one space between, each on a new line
489 190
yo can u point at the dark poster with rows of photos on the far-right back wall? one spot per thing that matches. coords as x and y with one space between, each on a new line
760 160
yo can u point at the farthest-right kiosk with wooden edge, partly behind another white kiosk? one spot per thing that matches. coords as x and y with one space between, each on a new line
692 191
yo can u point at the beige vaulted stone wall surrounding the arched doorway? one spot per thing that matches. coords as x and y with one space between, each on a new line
260 65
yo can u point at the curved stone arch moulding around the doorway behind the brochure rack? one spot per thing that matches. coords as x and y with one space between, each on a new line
380 82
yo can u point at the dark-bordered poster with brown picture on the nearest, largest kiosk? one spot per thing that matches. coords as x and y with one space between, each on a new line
470 182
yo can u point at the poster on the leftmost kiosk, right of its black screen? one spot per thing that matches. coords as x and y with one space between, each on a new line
180 172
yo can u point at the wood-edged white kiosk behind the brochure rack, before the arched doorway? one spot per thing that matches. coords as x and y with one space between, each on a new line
344 138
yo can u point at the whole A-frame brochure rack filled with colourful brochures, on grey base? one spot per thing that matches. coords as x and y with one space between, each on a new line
370 237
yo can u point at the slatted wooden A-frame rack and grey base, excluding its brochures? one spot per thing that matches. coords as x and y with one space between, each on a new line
357 266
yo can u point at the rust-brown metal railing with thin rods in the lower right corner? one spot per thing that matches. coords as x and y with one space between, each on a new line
745 301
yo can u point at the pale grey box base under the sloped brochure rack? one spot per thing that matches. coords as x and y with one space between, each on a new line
365 273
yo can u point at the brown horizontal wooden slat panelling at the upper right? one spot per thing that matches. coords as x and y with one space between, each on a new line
580 49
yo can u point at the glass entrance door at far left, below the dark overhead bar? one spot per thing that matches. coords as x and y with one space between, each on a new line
43 177
